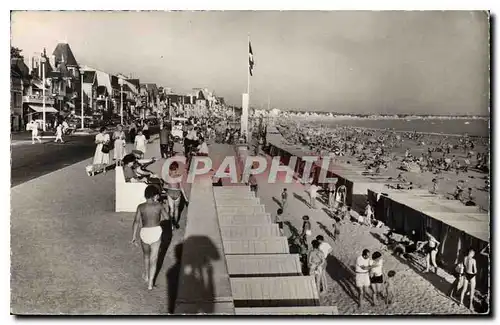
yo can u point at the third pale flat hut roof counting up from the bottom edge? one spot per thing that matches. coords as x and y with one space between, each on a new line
264 265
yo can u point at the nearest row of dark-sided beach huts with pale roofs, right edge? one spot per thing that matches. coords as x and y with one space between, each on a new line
456 226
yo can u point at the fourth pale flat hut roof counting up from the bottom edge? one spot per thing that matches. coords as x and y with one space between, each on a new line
269 245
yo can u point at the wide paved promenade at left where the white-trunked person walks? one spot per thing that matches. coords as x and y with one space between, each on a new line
70 251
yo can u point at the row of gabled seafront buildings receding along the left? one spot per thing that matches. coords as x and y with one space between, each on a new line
56 83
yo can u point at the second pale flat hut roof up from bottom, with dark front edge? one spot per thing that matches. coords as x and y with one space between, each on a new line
287 291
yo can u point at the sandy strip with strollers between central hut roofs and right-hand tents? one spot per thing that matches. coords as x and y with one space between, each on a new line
415 292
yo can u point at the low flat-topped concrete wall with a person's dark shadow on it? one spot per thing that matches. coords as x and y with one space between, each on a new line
204 285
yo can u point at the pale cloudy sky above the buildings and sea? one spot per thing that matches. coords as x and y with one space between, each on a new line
410 62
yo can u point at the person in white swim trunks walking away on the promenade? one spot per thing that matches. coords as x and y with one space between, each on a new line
148 217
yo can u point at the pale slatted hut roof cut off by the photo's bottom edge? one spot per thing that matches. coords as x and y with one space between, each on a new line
309 310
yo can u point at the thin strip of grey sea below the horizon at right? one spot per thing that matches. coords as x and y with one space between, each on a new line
473 127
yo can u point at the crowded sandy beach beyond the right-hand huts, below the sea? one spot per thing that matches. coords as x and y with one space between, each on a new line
395 145
